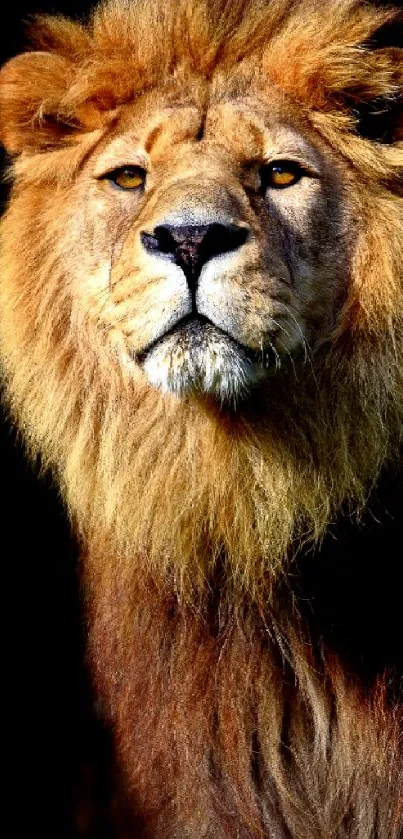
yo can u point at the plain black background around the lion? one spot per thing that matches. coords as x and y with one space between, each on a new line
61 781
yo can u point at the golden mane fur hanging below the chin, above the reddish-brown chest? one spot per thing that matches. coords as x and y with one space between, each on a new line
183 485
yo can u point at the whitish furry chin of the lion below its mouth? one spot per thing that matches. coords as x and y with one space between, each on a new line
198 358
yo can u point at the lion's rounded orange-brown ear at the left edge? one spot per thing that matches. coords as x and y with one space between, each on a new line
32 88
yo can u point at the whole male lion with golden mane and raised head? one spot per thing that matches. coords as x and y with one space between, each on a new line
201 334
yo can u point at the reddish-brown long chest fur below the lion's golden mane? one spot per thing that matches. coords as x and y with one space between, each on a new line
230 723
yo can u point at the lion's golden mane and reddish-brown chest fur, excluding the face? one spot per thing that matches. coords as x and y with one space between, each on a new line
231 718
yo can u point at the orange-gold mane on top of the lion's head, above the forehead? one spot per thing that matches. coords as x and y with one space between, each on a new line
112 59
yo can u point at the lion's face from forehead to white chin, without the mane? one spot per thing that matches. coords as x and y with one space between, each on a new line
213 245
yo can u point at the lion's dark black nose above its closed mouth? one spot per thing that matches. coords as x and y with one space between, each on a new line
191 246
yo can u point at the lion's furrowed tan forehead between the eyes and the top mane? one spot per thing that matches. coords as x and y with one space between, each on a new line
240 129
